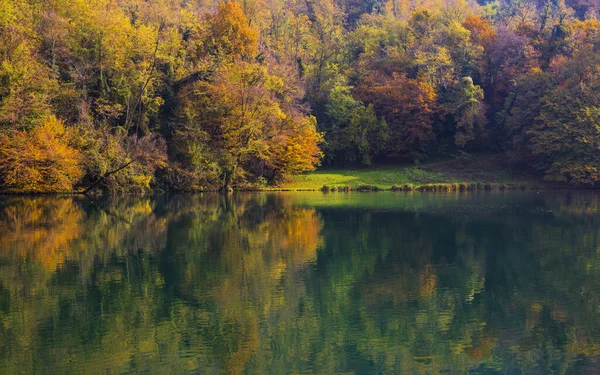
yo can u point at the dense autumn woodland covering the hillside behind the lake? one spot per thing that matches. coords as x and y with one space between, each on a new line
129 95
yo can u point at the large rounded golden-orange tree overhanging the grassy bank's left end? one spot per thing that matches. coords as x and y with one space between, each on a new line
251 122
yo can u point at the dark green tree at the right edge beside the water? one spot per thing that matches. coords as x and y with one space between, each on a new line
565 137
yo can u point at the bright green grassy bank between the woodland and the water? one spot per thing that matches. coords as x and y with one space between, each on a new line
477 173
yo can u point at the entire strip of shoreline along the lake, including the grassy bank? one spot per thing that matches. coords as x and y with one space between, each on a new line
473 174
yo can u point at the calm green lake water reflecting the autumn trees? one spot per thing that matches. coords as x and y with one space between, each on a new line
301 283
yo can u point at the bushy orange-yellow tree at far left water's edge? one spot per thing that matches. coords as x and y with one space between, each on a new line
41 160
